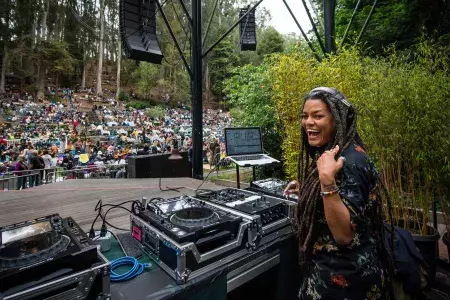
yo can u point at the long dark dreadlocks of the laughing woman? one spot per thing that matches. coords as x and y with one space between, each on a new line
345 135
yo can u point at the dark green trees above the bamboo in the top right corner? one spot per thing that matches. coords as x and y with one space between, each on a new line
394 21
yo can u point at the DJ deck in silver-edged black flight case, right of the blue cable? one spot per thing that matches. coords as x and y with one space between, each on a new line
190 237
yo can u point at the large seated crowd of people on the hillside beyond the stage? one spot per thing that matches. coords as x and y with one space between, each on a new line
75 133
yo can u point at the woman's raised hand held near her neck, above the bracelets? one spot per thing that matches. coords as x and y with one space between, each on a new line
328 167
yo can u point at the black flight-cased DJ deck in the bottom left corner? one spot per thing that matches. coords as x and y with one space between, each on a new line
50 257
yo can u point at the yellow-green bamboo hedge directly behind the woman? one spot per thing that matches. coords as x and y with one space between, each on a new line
404 116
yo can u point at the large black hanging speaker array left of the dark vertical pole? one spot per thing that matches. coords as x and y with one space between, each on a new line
138 30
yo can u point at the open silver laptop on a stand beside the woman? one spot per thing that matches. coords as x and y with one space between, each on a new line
244 147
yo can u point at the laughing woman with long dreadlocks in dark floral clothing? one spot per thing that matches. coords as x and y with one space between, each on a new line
339 215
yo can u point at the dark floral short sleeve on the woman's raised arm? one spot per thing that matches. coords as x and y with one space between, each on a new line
356 183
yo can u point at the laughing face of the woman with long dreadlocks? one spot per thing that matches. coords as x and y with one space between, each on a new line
318 122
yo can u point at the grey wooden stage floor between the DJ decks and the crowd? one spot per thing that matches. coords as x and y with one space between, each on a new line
77 199
